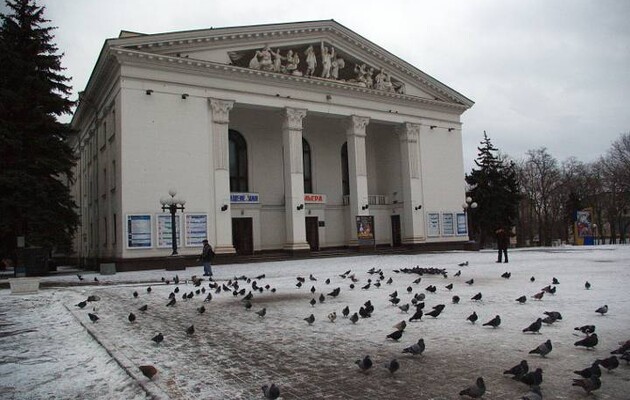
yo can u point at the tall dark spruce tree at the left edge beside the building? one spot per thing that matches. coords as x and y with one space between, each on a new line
35 159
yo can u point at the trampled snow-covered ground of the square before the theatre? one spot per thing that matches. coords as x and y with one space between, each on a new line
48 347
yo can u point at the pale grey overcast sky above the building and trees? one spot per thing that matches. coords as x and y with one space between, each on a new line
541 72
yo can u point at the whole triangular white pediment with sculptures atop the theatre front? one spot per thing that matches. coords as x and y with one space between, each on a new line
322 50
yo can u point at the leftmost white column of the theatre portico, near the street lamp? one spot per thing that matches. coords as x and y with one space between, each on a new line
220 111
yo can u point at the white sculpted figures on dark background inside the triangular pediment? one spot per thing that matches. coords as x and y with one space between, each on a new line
321 61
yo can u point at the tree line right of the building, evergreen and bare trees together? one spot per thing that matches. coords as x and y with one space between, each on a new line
539 196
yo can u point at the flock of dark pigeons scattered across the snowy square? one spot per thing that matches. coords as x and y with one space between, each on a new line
246 289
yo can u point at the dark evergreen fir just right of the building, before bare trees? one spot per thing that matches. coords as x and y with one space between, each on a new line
494 187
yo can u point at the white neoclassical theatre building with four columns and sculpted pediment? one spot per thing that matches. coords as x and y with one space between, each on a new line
156 115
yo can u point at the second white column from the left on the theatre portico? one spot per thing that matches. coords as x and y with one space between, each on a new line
294 180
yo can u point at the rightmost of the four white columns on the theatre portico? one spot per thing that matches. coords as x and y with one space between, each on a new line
413 209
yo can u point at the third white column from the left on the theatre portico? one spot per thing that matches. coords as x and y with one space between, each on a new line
357 173
